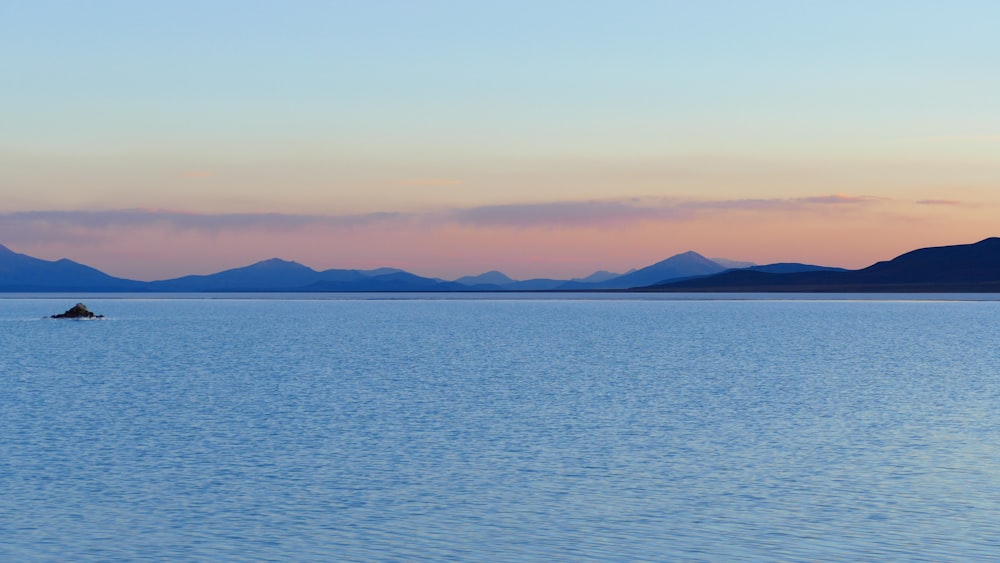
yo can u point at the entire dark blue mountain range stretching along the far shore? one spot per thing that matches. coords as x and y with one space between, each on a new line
960 268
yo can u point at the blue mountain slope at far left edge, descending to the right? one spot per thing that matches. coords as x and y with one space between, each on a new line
20 272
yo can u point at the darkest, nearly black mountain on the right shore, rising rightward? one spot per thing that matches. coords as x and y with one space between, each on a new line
959 268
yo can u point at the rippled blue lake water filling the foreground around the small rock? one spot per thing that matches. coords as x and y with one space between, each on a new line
500 430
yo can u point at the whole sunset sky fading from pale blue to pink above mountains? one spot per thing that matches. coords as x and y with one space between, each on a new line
541 138
